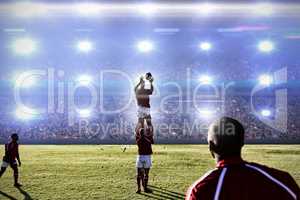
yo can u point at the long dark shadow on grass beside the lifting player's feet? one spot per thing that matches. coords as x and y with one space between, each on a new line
161 193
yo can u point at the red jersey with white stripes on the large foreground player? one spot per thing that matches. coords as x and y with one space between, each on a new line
236 179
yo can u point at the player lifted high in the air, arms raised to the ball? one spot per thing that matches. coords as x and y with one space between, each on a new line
143 100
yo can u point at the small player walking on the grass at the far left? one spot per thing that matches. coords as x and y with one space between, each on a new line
11 157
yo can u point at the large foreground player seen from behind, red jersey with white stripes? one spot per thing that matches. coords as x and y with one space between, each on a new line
234 178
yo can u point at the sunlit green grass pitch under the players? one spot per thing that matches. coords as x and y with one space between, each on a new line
105 172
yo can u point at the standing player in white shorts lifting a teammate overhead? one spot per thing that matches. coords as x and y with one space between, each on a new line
144 140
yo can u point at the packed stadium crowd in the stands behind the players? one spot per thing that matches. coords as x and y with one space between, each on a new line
171 124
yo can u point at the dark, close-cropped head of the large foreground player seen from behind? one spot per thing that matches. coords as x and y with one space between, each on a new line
226 137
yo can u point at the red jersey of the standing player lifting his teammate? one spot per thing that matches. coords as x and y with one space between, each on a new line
144 144
